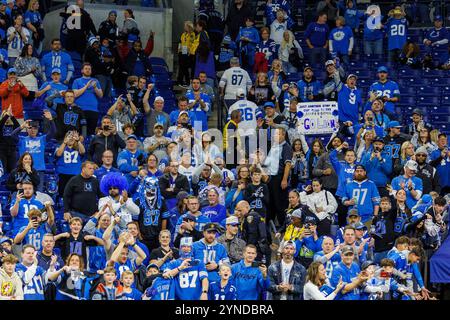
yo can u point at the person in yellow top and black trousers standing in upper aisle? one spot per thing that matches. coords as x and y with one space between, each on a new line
186 54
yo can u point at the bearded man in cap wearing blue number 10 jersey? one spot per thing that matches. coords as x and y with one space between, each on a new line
210 252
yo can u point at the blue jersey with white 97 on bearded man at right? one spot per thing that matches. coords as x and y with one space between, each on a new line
366 195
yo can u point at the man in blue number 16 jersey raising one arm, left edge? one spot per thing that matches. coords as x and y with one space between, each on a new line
34 232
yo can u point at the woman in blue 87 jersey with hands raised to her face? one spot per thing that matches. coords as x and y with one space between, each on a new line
69 157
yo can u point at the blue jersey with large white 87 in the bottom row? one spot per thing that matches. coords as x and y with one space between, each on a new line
188 282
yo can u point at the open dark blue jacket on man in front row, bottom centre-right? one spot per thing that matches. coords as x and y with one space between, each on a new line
296 278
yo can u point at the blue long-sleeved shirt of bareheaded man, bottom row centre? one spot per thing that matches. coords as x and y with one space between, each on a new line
249 281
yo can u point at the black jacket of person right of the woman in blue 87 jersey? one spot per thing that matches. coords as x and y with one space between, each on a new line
100 143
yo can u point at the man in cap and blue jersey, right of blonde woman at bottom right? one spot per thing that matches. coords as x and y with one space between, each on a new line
351 275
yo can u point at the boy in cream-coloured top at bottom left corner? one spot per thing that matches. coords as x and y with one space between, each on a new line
10 283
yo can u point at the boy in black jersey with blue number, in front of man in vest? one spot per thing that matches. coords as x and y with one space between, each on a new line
257 193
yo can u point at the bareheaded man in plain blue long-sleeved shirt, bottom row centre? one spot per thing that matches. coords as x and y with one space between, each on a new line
249 276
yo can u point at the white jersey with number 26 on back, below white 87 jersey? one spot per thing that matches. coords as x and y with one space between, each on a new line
249 112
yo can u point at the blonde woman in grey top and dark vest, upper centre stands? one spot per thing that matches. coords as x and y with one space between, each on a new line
290 52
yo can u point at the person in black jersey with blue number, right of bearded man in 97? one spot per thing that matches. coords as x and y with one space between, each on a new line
382 230
